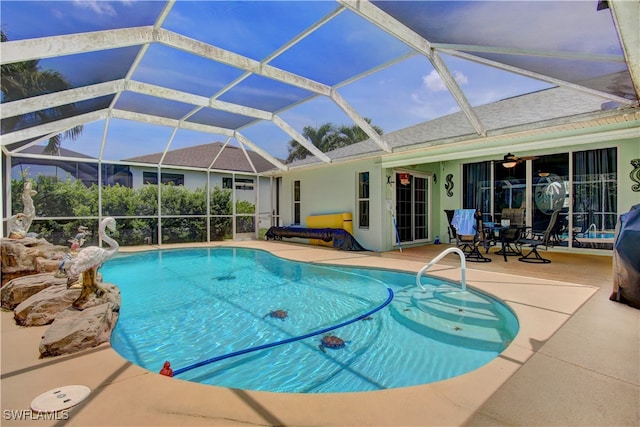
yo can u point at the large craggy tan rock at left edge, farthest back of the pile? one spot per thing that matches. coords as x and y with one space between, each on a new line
27 256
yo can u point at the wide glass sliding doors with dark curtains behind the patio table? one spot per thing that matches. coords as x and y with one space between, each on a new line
582 185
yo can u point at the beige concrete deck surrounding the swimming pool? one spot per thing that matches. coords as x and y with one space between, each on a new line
575 361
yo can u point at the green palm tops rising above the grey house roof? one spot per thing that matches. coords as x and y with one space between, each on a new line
328 137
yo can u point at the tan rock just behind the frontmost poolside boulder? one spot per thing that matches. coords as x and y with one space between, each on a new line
43 307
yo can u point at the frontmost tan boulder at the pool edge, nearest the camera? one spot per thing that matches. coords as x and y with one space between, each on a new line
74 330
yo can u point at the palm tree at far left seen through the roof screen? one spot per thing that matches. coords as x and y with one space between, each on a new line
26 79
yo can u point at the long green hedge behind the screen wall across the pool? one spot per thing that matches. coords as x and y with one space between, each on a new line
70 198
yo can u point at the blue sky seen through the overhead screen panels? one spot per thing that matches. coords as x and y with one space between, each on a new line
404 94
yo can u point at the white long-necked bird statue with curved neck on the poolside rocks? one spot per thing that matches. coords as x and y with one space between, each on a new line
91 258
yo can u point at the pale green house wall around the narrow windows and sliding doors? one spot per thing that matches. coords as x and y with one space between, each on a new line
333 188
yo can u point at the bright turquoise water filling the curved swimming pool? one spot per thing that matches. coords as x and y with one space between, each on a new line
186 306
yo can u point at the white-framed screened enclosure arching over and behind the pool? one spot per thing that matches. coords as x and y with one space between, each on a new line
180 118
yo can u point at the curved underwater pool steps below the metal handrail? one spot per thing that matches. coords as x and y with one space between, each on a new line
453 316
